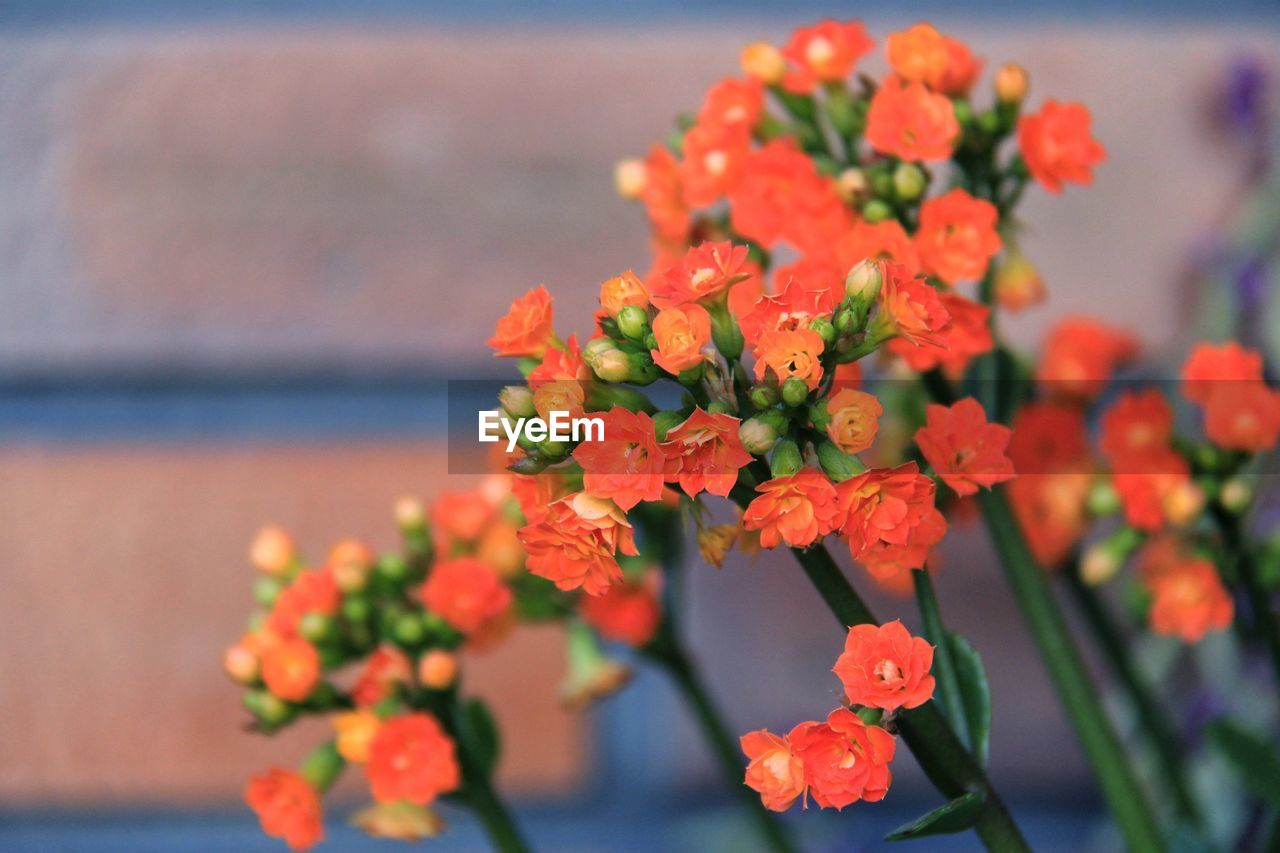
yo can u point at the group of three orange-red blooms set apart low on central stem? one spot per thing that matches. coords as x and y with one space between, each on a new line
847 758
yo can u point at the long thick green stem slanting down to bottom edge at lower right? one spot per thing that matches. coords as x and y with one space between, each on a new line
1103 749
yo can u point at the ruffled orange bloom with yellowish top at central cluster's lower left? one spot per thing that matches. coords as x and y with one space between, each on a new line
575 546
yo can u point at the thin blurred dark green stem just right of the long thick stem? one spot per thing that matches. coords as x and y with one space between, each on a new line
1164 737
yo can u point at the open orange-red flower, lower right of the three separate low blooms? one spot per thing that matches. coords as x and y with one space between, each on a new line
844 759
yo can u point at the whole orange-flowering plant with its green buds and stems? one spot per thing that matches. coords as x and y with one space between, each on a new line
812 230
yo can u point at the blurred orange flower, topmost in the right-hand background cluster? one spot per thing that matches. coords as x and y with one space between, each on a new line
1081 355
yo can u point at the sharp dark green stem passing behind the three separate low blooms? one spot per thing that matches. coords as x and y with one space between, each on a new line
936 747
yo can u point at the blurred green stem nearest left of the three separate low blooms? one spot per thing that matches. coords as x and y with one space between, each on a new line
729 756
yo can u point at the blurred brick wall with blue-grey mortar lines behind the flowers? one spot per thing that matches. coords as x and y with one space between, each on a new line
244 245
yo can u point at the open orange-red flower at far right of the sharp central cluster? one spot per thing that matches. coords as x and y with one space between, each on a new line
963 449
